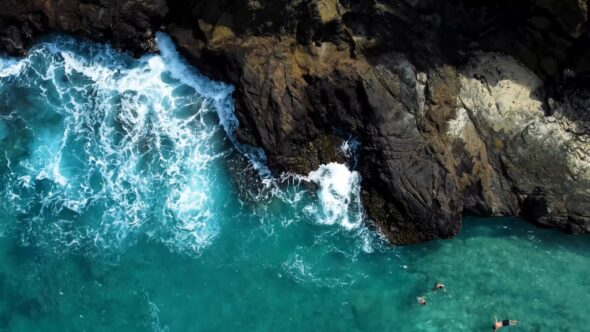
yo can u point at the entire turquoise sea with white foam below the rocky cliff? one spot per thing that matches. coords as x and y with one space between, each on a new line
126 205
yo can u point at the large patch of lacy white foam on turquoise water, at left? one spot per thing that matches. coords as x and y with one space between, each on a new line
114 148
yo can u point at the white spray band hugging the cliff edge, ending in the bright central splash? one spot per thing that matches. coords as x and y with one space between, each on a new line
339 194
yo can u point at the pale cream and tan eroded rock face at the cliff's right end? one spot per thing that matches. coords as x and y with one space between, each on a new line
535 164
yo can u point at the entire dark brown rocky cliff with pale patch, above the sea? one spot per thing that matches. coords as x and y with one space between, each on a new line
461 106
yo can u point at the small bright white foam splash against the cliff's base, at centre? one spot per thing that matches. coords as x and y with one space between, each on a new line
328 196
